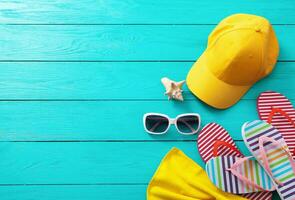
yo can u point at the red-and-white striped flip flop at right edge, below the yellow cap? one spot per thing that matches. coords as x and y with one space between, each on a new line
276 109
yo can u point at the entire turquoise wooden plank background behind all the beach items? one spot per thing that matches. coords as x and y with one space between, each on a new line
77 76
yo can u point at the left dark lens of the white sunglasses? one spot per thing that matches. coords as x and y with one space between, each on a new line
156 124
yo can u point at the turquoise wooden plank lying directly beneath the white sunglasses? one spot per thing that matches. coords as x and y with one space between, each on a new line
108 120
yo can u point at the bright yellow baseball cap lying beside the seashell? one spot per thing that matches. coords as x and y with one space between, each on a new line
241 50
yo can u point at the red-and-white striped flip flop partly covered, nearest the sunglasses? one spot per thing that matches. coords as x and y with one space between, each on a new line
213 141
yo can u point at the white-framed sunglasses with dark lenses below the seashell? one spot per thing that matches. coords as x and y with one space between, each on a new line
157 124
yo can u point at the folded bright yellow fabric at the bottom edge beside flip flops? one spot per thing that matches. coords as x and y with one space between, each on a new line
180 178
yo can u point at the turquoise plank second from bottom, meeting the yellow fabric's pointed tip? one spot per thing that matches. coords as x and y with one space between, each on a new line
86 163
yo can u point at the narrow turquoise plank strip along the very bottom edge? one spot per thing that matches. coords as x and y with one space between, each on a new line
73 192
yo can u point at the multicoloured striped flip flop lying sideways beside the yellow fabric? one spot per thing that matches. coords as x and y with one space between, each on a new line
238 175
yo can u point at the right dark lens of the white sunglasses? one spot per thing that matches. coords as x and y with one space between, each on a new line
188 124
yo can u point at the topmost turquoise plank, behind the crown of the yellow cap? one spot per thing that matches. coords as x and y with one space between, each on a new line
140 11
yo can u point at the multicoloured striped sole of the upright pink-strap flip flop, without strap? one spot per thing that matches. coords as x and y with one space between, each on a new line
279 163
